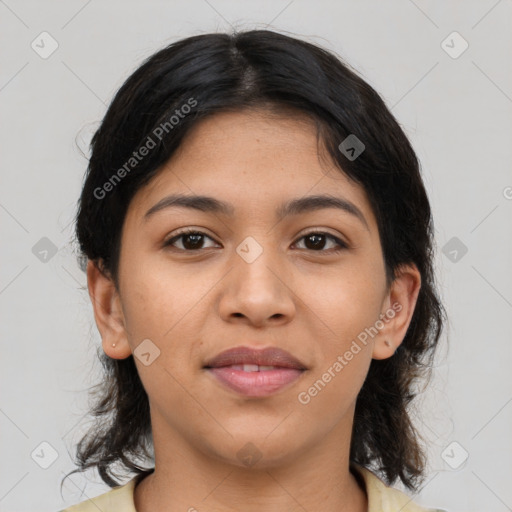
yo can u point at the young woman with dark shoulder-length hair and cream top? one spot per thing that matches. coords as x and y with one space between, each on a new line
259 249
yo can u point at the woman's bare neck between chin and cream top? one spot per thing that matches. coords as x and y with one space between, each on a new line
318 480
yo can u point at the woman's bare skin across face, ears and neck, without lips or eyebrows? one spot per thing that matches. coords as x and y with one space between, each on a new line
298 296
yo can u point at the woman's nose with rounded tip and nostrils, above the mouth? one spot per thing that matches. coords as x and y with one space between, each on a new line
258 293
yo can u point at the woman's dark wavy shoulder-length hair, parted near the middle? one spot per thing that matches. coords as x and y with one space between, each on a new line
258 69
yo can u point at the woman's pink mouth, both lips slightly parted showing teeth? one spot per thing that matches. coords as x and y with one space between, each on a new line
255 373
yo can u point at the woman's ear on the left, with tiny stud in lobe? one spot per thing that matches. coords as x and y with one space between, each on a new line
107 312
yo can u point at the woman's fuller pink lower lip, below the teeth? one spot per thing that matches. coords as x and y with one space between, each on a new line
256 384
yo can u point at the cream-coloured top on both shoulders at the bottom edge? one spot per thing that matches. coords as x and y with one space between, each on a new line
381 498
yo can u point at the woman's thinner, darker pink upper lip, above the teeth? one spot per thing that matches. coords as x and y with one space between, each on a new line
271 356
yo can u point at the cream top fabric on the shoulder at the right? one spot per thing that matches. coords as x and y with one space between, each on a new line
382 498
